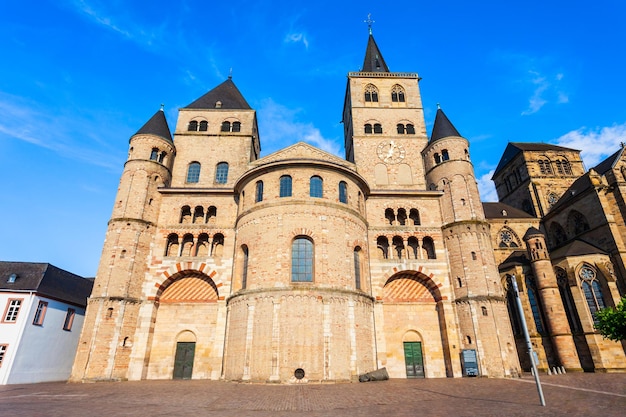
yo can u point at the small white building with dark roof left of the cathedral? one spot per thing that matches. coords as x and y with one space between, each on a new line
43 308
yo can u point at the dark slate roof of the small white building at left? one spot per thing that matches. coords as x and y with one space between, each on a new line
47 280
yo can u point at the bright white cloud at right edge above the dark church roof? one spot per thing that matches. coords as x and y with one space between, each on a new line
595 144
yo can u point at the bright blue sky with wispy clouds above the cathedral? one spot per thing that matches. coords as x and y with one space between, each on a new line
79 77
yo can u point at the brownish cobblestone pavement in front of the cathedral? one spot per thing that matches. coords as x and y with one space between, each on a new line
570 394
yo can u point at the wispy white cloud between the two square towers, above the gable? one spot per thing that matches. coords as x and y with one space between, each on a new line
282 128
